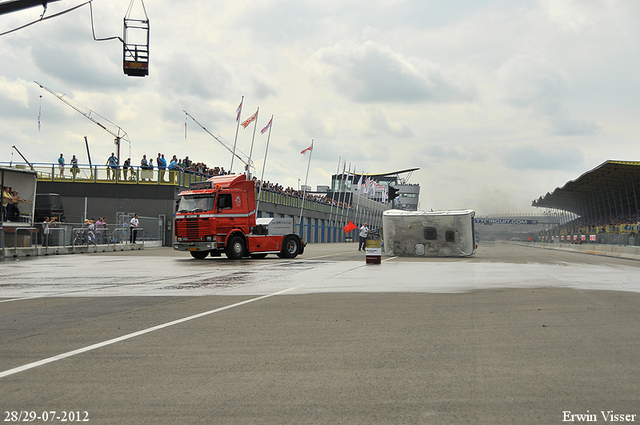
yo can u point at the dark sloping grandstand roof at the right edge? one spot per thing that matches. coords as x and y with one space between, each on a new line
612 185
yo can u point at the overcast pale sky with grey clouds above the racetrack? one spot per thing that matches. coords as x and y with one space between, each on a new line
496 102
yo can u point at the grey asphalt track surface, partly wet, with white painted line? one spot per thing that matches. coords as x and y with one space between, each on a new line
513 335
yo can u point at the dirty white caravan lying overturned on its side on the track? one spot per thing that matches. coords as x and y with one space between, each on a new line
429 233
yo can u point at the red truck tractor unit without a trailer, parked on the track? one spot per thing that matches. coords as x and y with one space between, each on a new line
219 215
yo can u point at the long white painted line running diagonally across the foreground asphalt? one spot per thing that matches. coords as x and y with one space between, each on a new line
139 333
